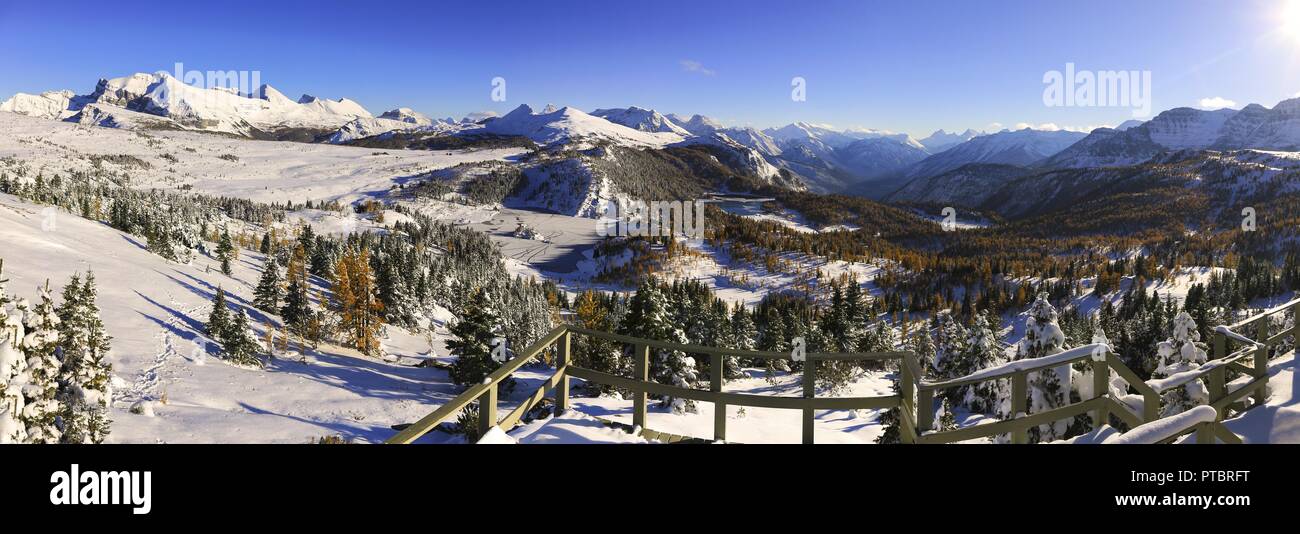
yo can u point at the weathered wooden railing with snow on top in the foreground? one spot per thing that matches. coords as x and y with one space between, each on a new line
916 398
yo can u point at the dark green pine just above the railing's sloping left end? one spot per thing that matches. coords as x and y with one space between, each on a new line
473 341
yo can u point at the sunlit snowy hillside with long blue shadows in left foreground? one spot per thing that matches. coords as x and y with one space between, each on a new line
155 314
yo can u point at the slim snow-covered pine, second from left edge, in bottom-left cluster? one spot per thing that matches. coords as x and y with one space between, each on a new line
41 414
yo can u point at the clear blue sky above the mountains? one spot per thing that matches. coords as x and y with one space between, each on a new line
869 64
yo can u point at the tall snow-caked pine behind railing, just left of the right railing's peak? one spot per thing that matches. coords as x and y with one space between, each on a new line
1050 389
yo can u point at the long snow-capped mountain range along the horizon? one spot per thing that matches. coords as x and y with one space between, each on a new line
861 162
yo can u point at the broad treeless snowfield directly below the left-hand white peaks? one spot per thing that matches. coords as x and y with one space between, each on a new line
224 166
